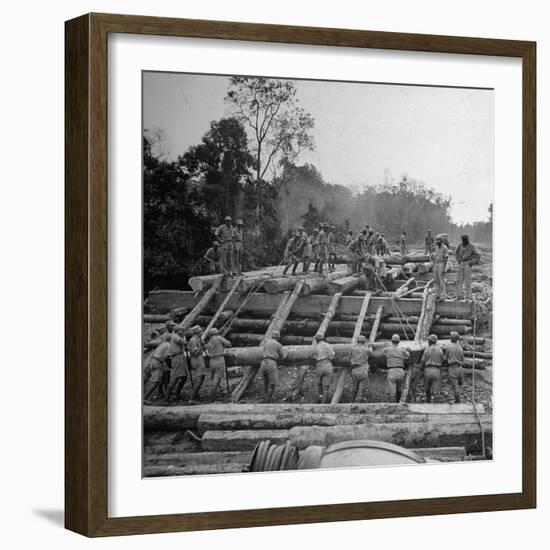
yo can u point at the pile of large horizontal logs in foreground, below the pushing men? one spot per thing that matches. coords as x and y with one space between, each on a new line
229 432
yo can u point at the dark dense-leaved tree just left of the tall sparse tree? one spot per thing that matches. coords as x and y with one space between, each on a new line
222 163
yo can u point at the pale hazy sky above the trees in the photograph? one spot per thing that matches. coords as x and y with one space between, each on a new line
442 136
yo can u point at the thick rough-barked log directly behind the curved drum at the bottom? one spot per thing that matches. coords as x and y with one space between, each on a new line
409 434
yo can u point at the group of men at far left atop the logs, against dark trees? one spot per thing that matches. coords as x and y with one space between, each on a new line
226 253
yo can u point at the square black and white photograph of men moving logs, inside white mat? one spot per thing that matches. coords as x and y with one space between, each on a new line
317 280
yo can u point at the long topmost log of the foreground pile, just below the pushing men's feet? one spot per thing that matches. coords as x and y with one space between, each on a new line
177 418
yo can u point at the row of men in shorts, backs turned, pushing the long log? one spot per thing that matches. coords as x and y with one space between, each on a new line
179 356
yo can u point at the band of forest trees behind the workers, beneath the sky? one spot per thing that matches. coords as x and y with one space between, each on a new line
246 166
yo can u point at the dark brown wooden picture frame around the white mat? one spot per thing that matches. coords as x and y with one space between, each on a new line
86 273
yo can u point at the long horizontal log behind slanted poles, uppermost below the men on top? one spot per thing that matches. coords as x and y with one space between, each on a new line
265 304
